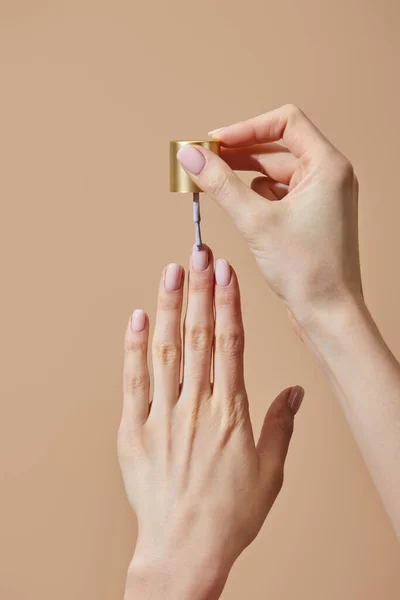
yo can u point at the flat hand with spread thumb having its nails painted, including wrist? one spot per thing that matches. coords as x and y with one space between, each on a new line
199 484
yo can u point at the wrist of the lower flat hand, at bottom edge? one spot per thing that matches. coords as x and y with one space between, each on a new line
175 579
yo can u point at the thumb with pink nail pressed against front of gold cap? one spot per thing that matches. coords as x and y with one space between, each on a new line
216 178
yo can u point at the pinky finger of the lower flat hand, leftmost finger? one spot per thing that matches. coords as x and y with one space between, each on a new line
136 373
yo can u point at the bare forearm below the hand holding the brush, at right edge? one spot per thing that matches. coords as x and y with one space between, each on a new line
366 378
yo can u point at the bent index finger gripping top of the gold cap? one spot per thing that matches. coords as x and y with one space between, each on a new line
287 123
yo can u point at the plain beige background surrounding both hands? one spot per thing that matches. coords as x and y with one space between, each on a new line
91 93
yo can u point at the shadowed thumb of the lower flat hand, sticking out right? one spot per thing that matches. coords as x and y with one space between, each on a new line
277 429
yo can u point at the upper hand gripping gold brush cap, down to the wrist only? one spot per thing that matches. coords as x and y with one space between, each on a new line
300 218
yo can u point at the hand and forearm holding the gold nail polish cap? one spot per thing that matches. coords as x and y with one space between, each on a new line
300 220
